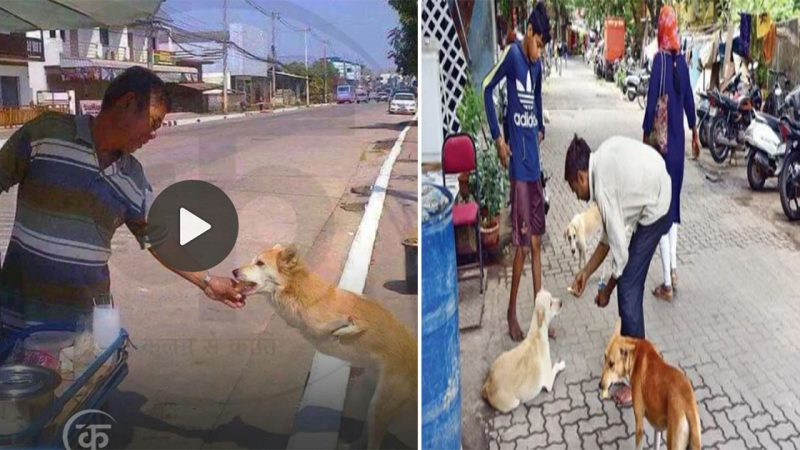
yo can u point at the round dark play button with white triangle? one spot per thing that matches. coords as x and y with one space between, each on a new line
192 226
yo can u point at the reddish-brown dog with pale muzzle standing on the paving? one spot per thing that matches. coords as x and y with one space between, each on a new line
661 393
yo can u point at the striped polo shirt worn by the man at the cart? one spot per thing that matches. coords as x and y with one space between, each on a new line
67 212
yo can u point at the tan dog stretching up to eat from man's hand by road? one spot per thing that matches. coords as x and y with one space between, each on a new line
341 324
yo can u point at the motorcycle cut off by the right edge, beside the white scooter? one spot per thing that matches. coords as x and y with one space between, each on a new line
789 180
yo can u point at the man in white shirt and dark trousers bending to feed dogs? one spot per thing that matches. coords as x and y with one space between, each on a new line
630 184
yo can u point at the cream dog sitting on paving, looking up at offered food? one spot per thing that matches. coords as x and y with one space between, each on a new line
519 374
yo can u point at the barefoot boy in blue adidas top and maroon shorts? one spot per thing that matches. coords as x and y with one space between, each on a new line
520 66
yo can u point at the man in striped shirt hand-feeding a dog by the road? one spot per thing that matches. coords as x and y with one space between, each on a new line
78 181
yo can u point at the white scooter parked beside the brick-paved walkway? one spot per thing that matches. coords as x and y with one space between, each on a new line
765 150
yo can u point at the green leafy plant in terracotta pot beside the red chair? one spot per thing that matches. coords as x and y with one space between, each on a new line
490 187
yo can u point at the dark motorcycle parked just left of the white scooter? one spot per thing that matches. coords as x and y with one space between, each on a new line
731 117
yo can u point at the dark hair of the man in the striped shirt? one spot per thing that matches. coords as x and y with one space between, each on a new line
144 84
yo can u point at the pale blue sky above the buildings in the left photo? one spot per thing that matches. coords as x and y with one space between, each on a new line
356 29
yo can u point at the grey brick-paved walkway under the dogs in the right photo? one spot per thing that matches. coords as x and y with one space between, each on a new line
732 325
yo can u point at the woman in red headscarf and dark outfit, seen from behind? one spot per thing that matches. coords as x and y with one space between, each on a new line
671 65
